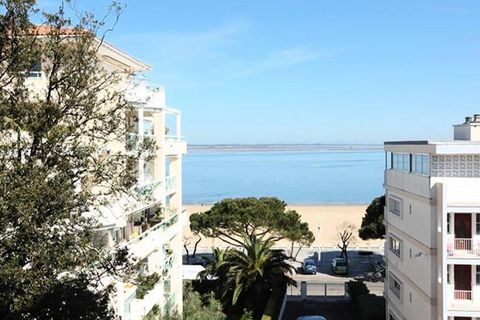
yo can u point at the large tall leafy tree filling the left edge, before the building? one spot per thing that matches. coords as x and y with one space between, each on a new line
56 164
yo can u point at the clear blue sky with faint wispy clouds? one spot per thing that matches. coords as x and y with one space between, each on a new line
308 71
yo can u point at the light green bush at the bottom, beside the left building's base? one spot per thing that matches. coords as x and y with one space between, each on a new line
196 307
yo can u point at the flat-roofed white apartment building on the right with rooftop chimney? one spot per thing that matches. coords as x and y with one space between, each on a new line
432 219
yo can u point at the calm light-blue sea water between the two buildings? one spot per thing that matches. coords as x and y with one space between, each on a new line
300 177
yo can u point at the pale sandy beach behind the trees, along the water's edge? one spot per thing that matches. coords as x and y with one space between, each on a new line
327 217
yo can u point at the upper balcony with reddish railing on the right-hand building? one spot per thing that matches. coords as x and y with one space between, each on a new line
463 236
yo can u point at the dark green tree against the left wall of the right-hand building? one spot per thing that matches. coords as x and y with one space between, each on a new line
372 223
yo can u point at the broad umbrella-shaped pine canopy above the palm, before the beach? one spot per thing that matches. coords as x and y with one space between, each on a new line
231 220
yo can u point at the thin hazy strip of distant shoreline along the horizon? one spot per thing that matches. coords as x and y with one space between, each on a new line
284 147
